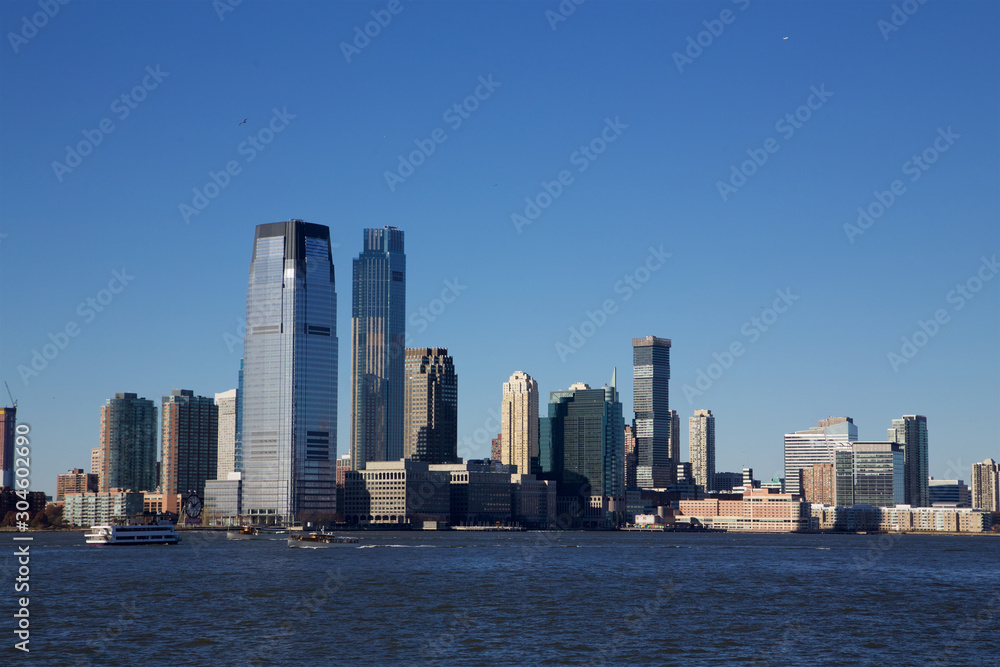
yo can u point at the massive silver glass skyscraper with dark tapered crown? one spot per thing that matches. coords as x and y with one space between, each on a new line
289 424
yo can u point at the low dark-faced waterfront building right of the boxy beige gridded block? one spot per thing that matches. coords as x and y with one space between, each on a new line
479 492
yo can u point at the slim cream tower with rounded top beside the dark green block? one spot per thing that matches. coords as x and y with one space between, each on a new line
519 422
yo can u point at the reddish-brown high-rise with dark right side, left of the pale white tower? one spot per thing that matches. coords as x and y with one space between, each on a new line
190 440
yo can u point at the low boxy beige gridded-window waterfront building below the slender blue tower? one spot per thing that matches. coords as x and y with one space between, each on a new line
396 493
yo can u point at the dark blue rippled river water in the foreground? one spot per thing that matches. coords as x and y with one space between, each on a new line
523 598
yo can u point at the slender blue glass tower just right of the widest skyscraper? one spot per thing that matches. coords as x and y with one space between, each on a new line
378 333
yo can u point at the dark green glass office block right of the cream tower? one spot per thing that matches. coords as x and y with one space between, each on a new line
583 442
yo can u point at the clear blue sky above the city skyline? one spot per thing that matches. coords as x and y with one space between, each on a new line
886 96
